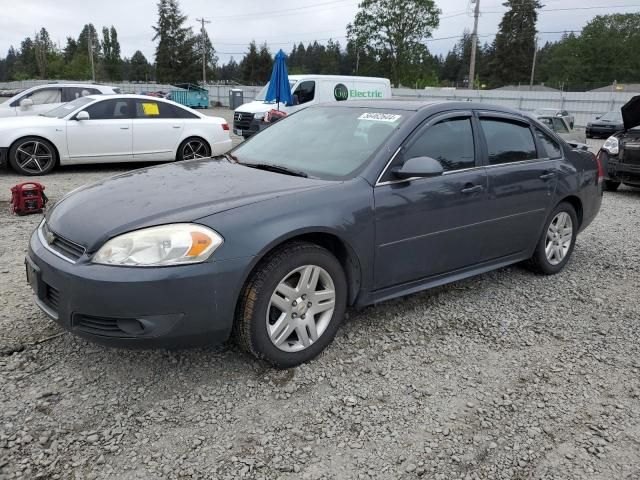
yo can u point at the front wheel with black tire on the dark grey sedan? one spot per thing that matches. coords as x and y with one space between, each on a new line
292 306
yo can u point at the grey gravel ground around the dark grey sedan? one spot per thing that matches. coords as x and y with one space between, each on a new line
507 375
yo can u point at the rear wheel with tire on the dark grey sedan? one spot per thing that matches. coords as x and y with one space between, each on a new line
557 241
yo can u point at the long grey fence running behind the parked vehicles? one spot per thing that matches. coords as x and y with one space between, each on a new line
585 106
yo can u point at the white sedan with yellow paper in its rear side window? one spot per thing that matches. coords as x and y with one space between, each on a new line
114 128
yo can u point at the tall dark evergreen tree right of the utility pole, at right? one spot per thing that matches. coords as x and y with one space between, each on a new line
515 42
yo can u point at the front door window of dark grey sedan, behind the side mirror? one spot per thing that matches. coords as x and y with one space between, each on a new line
449 141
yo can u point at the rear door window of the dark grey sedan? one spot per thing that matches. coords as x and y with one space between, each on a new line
508 141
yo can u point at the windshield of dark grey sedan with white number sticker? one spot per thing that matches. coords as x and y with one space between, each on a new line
325 142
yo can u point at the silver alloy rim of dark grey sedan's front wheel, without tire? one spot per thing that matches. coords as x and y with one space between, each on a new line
301 308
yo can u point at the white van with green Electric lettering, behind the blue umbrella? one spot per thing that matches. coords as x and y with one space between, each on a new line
309 90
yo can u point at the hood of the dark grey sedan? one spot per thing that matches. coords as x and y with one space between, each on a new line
180 192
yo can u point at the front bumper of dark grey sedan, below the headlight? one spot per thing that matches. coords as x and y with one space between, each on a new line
170 307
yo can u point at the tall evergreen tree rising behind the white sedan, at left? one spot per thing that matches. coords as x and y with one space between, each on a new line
176 58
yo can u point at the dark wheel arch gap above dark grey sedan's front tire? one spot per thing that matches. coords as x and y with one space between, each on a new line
340 248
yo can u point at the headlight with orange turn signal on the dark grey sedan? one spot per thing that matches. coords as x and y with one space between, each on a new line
176 244
